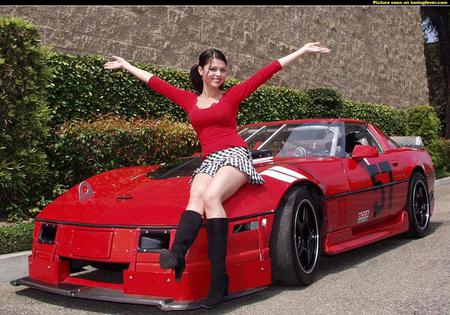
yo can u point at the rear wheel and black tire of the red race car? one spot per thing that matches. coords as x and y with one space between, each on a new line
418 205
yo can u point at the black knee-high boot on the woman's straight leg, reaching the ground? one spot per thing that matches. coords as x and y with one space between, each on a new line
217 251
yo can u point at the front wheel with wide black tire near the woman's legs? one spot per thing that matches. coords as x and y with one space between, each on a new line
295 239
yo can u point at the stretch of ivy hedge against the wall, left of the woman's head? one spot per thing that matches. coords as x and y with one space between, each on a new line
81 89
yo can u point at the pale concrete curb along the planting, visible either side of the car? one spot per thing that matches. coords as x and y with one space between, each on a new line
15 265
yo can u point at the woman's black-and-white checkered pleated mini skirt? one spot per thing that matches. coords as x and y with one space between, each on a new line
238 157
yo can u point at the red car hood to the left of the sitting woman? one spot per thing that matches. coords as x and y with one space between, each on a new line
124 196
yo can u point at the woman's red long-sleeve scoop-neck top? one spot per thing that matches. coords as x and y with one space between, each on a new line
216 125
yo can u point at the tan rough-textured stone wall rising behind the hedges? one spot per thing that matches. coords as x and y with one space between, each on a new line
377 52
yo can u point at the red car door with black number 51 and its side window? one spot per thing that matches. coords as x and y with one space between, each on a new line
370 180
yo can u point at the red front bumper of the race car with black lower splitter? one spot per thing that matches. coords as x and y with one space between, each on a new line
123 270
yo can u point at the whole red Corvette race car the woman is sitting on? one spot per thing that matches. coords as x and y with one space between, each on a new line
332 185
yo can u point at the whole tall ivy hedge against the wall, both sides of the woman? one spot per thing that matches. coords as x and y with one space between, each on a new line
81 89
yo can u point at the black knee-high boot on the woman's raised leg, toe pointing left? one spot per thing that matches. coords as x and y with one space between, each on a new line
188 228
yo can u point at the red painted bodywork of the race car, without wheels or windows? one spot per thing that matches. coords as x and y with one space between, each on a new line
126 203
